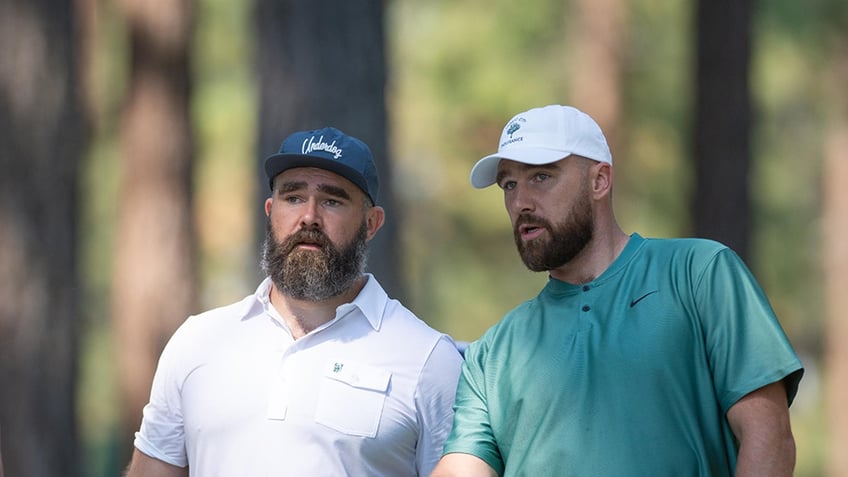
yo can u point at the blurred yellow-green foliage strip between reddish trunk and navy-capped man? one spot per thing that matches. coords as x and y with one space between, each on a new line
224 116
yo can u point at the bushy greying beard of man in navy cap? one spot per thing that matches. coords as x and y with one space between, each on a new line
313 275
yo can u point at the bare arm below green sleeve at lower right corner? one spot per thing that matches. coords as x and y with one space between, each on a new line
760 422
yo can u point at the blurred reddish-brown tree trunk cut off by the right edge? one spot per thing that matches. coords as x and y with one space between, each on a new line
835 258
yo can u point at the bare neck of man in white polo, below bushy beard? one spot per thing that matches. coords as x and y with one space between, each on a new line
304 316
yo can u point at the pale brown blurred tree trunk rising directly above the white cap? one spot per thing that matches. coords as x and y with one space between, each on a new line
599 37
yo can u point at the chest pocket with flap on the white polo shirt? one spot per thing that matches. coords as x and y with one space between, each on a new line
352 397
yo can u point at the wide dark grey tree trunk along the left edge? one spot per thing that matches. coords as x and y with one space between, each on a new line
42 133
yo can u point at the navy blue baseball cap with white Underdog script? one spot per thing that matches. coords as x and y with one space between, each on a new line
329 149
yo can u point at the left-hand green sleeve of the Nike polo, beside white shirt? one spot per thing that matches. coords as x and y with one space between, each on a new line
472 431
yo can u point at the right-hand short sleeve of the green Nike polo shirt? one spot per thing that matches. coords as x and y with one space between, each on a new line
747 348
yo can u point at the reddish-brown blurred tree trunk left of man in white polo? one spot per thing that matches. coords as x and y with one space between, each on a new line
154 286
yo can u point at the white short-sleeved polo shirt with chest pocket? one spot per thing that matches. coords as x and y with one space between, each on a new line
368 394
